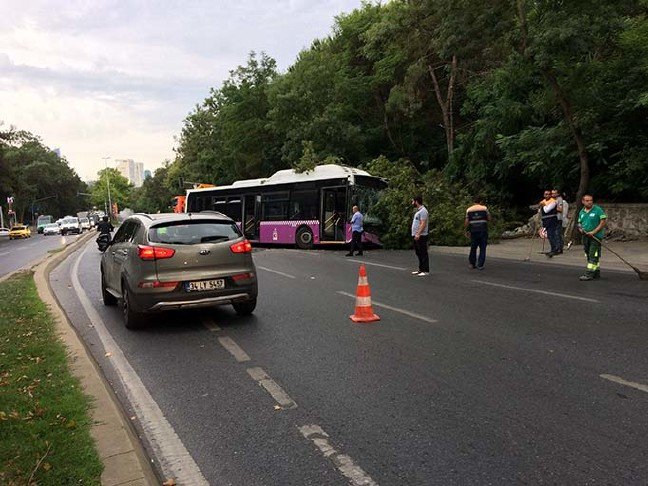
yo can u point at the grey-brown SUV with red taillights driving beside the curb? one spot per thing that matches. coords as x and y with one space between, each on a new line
158 262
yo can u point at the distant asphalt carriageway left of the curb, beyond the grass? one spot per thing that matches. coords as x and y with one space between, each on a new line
15 254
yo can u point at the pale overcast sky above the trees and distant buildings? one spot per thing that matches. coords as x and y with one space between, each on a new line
116 78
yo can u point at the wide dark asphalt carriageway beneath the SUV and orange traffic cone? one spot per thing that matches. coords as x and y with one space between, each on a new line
517 374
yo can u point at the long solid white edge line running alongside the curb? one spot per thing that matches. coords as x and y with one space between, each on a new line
170 452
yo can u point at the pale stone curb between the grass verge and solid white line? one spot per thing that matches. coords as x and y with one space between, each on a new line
123 457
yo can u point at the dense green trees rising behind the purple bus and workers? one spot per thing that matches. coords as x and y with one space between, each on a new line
502 97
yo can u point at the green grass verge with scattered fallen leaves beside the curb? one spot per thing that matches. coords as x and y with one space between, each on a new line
44 419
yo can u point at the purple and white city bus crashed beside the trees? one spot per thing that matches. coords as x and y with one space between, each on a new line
302 209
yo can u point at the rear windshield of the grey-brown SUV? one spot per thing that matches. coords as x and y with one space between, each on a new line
193 232
